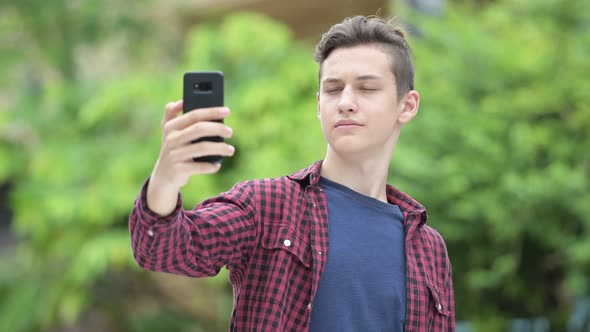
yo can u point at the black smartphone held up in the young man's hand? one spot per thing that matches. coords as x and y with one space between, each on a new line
201 90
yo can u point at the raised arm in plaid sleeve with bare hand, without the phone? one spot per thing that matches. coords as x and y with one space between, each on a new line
197 242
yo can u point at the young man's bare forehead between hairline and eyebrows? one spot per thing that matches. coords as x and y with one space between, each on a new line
357 61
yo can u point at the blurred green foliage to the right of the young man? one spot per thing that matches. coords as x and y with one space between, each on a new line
500 154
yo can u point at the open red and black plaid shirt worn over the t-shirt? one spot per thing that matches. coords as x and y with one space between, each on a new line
272 234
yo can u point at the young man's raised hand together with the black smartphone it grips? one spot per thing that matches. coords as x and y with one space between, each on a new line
198 135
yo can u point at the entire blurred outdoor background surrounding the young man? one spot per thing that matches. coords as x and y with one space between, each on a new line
499 153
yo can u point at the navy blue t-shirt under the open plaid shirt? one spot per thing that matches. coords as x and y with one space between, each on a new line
363 287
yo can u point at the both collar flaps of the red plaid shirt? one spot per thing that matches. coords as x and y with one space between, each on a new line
407 204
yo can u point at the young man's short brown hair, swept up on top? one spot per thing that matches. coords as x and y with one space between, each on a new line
362 30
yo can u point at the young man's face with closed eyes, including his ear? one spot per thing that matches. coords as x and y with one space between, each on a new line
358 107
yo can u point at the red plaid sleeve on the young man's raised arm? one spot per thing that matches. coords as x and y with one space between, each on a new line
196 243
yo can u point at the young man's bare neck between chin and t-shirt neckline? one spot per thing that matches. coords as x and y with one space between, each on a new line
367 176
